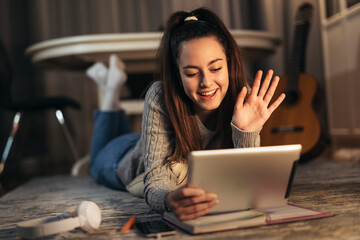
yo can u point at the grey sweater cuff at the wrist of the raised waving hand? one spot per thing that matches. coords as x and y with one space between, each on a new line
243 139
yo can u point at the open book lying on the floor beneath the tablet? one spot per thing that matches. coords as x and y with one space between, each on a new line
242 219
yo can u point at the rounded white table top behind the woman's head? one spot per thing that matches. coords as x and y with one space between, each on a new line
137 50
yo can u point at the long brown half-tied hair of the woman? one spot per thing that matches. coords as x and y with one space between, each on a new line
178 104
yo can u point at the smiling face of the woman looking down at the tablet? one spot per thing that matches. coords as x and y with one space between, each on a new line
204 74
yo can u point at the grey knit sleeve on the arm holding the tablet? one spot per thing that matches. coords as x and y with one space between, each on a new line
158 135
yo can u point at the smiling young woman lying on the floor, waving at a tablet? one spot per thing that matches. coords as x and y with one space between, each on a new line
202 100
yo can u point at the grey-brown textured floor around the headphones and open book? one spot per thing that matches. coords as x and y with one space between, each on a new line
323 185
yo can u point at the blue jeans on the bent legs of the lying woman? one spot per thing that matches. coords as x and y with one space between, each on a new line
112 140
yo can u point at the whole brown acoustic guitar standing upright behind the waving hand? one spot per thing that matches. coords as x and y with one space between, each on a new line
295 121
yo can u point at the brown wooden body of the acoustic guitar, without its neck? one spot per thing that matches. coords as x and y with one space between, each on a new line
295 123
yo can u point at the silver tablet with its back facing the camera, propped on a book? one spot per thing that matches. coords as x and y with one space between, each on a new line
245 178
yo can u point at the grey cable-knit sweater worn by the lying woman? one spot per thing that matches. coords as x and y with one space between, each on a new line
155 145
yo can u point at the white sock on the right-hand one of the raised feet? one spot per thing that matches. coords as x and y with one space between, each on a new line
116 78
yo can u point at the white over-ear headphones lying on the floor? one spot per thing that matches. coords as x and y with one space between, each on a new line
87 216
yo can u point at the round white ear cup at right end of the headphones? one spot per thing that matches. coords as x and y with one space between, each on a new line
89 215
